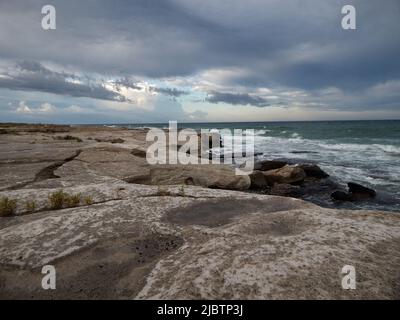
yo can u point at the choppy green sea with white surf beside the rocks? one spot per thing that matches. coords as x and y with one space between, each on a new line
364 152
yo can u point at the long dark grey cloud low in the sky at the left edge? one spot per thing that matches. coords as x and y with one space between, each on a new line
32 76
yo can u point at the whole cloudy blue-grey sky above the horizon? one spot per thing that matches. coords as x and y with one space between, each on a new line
148 61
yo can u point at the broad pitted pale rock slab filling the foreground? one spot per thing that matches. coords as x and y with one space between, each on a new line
185 244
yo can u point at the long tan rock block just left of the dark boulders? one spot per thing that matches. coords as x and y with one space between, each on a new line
206 175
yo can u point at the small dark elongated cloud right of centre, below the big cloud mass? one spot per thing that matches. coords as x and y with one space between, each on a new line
237 99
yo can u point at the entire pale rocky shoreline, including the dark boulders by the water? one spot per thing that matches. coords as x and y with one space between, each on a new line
86 200
